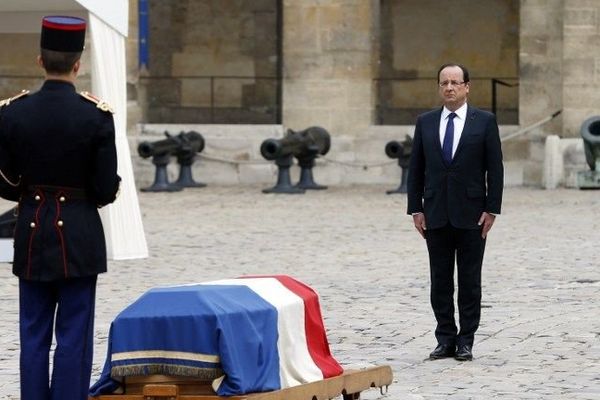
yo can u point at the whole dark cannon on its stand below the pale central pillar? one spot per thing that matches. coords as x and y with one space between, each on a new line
306 146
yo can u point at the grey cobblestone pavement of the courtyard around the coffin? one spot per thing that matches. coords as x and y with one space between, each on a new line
540 330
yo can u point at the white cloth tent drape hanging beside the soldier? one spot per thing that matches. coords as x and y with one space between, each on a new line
122 220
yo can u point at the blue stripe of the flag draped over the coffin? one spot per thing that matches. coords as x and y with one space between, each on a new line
231 322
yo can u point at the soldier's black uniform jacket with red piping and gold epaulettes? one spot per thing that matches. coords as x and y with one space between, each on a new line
58 160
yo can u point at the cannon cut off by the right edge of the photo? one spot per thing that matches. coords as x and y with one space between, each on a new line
590 132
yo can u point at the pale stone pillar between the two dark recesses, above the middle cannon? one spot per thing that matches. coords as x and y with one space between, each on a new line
327 61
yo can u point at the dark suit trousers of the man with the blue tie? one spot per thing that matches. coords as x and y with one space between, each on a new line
465 247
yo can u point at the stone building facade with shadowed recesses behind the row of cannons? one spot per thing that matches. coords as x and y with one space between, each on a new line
240 71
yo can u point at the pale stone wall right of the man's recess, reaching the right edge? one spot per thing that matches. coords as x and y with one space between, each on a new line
559 60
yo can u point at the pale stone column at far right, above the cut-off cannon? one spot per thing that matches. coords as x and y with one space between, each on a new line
581 64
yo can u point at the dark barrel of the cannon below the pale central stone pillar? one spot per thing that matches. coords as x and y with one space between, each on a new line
313 140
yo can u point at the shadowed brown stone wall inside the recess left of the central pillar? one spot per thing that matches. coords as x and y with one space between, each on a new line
233 41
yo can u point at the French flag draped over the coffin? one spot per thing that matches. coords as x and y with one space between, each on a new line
253 334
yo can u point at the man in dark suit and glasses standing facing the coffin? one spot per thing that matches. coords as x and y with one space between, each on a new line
455 184
